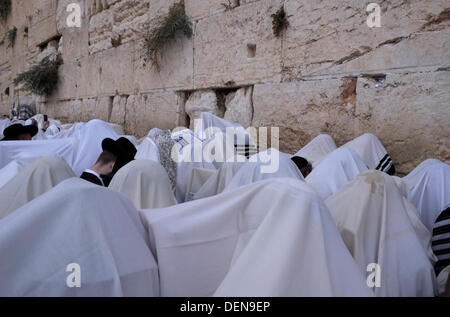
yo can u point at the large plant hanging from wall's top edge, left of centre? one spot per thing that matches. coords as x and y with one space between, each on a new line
176 21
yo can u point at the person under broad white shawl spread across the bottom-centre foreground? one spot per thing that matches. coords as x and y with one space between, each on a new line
271 238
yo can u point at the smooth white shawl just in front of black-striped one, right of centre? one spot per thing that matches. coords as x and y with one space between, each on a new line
337 169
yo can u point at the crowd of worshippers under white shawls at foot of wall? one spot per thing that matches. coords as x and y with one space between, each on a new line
200 228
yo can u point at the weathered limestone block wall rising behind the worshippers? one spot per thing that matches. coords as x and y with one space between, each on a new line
328 72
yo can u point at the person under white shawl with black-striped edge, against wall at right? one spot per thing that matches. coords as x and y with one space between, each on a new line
372 152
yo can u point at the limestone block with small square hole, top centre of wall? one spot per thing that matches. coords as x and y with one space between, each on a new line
237 47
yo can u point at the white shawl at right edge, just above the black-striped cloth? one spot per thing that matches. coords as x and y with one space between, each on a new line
431 194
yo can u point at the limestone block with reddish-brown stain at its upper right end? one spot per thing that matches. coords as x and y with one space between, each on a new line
302 110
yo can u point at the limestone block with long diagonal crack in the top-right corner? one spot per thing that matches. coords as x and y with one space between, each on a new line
323 37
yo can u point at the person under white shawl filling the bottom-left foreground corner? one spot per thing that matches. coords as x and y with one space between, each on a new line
77 234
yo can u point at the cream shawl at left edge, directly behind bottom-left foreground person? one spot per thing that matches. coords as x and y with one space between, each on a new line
35 180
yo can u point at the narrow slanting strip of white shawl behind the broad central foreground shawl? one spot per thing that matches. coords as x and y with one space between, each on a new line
217 182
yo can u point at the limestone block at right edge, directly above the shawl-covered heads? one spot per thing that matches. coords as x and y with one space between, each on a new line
410 114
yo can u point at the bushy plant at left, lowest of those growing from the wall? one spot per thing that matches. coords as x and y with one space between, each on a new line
42 78
